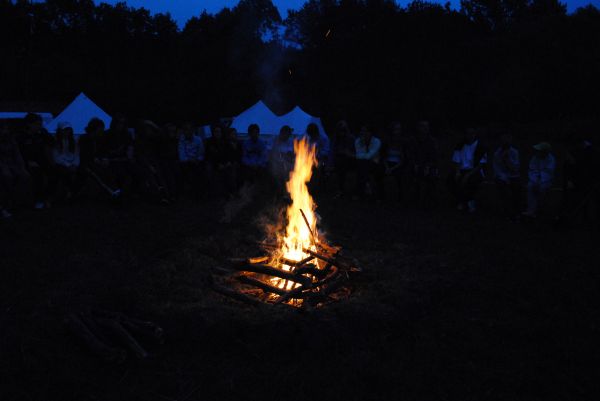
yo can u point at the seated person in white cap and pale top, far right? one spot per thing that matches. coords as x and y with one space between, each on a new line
541 176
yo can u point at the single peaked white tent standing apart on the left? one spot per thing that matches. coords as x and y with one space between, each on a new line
79 113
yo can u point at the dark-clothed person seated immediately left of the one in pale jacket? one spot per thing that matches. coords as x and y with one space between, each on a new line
344 155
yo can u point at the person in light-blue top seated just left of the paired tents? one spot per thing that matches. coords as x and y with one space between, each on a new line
191 160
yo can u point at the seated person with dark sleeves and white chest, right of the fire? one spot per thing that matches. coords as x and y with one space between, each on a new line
469 158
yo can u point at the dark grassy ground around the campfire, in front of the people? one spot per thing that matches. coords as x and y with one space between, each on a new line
450 307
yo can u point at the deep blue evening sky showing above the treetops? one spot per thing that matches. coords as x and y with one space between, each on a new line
182 10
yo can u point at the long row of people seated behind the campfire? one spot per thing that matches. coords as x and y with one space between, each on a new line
173 161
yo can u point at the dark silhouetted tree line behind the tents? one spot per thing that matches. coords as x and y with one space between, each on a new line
369 60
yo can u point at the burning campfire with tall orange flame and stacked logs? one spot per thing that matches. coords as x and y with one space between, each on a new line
297 267
